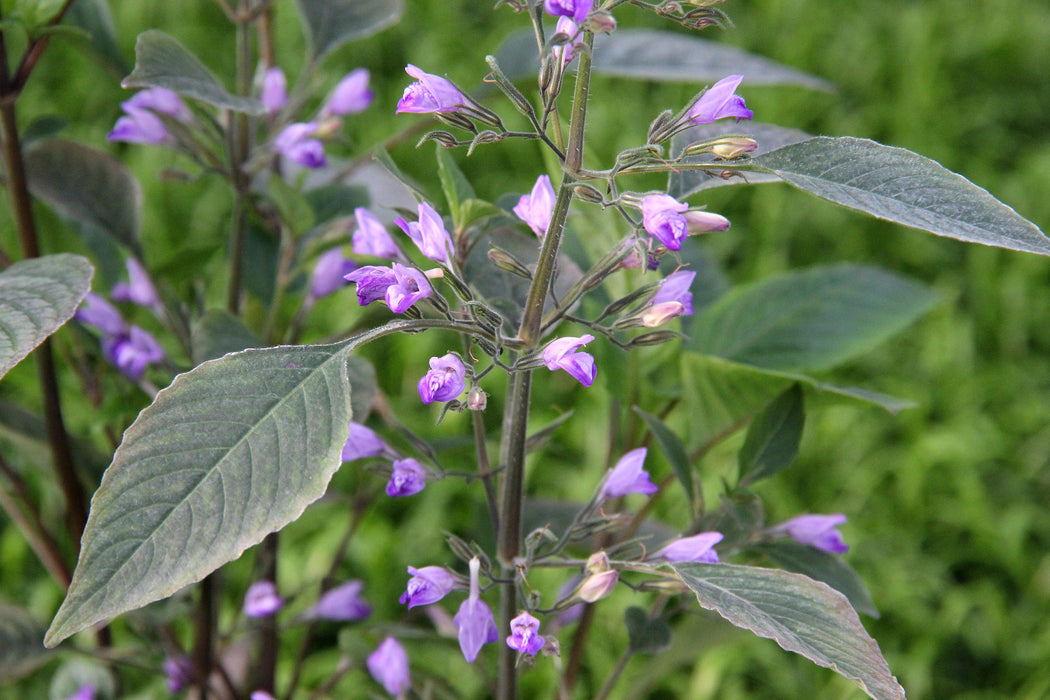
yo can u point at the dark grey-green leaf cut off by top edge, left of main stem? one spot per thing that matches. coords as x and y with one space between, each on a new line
331 24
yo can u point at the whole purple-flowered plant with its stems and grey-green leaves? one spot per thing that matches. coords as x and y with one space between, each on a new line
526 301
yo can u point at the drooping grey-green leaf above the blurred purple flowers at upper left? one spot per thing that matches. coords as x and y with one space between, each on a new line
161 61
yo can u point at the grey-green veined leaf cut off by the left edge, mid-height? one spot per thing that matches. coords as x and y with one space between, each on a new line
37 296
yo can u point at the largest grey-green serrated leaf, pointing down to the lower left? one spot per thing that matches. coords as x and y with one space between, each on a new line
233 451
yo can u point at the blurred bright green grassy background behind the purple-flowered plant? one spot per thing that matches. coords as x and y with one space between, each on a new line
950 502
